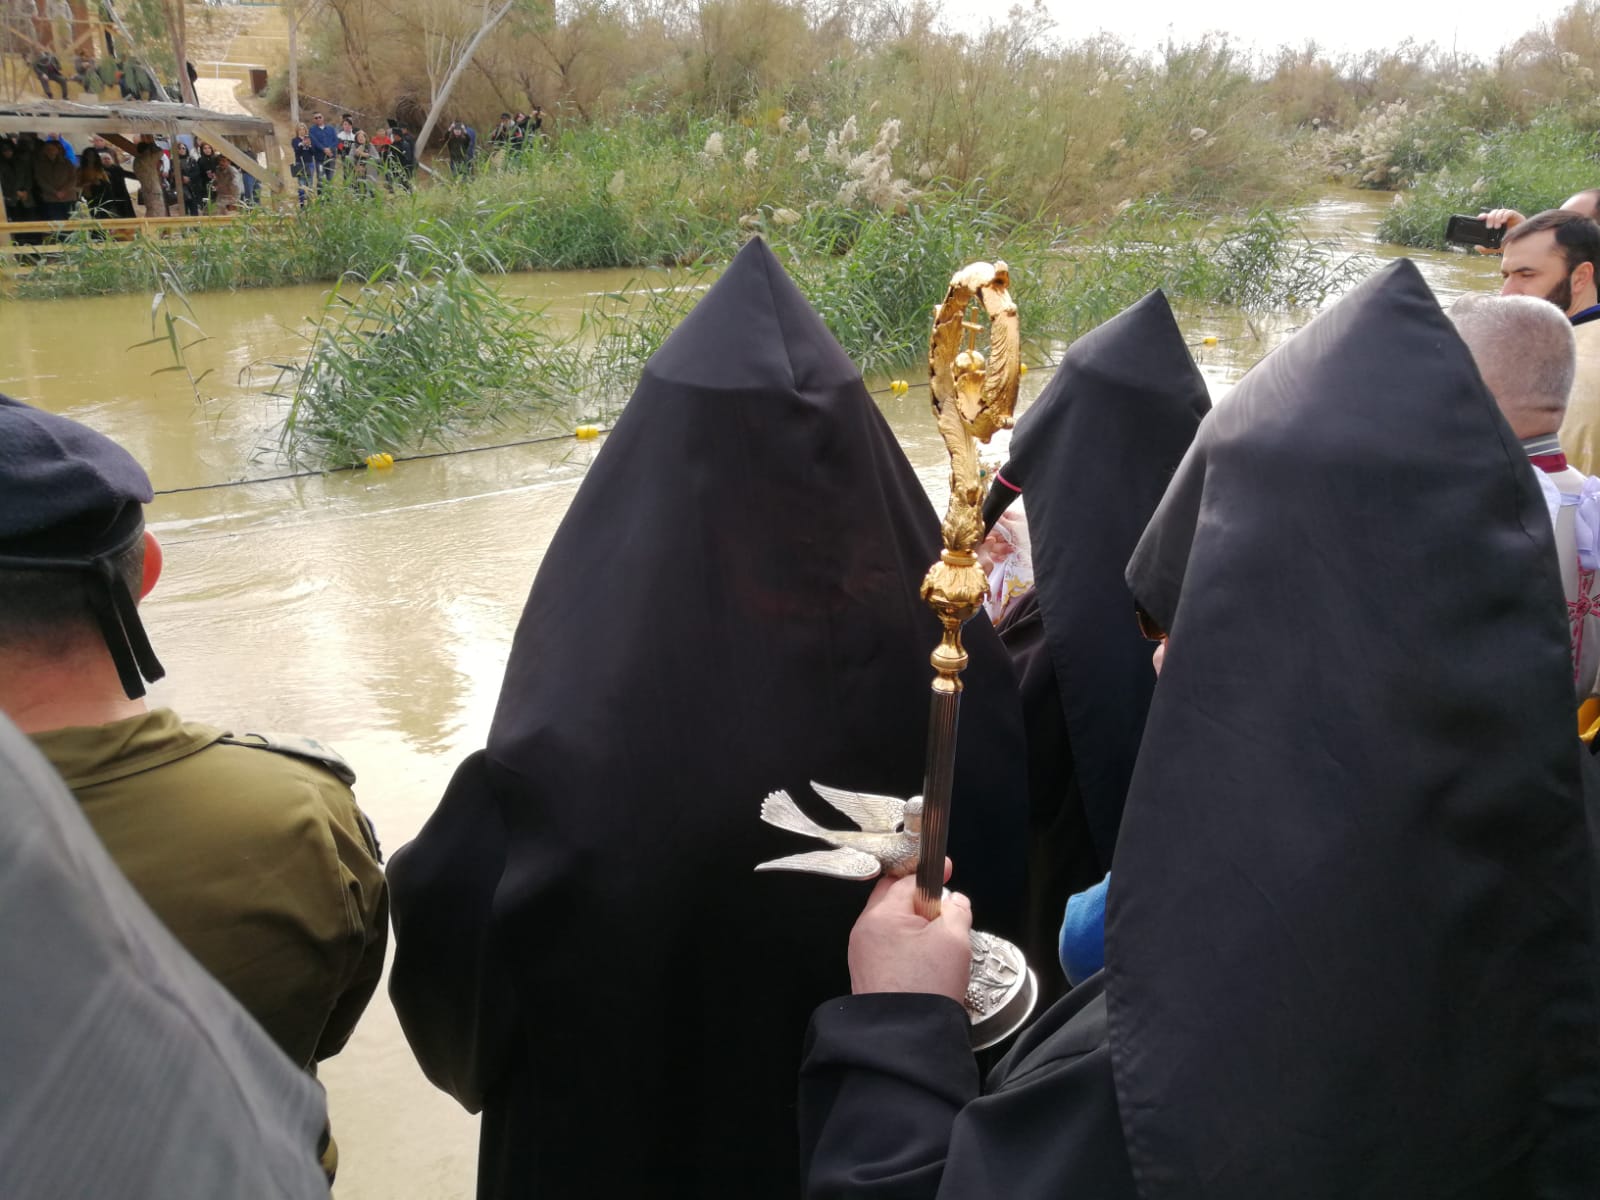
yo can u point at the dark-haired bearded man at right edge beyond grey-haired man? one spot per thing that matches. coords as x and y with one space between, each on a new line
1554 257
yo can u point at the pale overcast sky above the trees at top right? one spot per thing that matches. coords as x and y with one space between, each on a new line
1468 26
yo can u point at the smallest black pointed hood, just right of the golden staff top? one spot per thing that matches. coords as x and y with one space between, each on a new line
1094 457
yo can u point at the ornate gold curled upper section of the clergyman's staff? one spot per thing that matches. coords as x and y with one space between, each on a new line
974 398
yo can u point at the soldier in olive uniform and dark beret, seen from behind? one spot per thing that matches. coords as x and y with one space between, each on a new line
250 849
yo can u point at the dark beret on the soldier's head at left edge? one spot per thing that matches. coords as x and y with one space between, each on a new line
63 487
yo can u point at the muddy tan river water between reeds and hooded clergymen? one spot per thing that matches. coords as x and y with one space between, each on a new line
375 609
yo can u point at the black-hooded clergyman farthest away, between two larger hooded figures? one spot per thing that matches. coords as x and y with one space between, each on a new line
1094 457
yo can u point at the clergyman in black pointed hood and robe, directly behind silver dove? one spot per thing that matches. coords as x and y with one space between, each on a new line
730 607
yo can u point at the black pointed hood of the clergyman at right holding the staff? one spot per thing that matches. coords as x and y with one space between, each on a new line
1350 938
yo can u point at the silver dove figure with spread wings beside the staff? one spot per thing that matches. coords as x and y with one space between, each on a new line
886 839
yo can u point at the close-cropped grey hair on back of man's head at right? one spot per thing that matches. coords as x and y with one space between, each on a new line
1524 350
